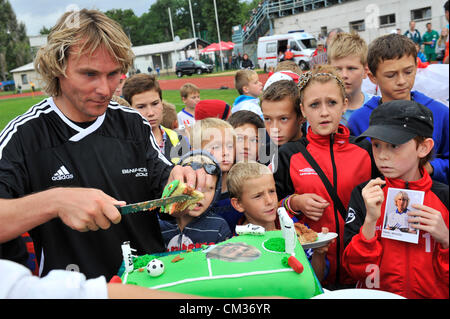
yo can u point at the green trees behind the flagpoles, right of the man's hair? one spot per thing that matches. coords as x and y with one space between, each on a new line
154 25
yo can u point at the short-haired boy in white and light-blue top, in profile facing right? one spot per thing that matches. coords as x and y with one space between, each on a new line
250 88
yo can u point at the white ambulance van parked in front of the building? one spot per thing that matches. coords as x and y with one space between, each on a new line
302 45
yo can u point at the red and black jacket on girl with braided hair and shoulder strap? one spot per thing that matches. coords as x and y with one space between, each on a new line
344 161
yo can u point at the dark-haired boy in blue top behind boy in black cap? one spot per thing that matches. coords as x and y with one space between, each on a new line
392 61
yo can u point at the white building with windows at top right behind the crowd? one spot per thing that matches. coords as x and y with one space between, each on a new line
371 18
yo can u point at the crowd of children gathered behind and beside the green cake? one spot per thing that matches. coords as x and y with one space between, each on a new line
295 144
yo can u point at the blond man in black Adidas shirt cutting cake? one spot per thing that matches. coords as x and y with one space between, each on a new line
77 155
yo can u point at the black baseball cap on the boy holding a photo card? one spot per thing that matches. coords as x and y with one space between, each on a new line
399 121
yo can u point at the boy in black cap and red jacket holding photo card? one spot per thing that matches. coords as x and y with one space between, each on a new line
401 135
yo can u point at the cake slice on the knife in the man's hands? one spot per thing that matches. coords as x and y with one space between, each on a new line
176 188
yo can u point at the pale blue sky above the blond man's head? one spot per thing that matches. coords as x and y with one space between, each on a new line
38 13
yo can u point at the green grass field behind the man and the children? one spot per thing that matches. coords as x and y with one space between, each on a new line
11 108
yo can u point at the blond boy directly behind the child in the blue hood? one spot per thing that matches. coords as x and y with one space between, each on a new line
217 137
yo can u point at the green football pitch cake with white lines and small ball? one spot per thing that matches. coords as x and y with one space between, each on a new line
253 264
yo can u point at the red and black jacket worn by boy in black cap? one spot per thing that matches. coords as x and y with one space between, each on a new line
411 270
